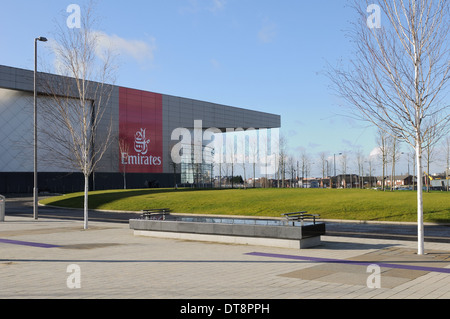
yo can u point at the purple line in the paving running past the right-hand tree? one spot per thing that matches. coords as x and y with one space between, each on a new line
352 262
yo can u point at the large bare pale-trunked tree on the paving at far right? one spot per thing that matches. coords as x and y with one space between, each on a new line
400 73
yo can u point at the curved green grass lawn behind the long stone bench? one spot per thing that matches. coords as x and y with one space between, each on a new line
353 204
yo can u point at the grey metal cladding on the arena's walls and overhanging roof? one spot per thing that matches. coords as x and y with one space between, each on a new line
177 111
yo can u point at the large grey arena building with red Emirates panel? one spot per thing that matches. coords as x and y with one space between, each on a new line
142 123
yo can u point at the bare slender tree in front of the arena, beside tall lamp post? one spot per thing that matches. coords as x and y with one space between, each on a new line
76 131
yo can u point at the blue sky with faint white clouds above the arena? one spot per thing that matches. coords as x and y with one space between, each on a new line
264 55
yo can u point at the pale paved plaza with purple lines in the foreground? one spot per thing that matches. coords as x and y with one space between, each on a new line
51 258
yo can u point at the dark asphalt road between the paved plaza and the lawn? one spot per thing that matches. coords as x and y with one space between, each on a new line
22 206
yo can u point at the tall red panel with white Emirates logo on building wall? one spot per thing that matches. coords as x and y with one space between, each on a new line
140 131
